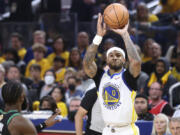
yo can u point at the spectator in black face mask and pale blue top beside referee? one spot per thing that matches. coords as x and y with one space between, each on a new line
72 91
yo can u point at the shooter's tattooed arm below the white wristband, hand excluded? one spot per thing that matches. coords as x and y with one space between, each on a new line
88 61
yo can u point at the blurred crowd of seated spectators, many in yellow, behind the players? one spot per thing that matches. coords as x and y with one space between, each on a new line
52 74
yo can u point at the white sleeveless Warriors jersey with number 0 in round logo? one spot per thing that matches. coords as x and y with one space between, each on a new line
116 99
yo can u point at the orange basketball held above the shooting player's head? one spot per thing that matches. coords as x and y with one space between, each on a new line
116 15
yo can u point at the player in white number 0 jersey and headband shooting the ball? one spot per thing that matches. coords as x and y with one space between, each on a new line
117 85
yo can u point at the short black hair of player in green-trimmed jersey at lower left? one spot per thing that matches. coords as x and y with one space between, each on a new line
11 92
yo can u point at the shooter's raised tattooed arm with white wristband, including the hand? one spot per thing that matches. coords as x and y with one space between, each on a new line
89 64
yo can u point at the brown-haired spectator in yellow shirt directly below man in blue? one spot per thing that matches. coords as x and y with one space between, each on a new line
39 51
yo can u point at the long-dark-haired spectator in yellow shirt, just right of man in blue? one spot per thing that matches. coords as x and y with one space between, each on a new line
59 50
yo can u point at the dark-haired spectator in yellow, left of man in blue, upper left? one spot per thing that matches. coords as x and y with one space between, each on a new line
17 44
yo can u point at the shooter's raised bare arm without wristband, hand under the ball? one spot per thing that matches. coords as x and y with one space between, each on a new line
133 56
